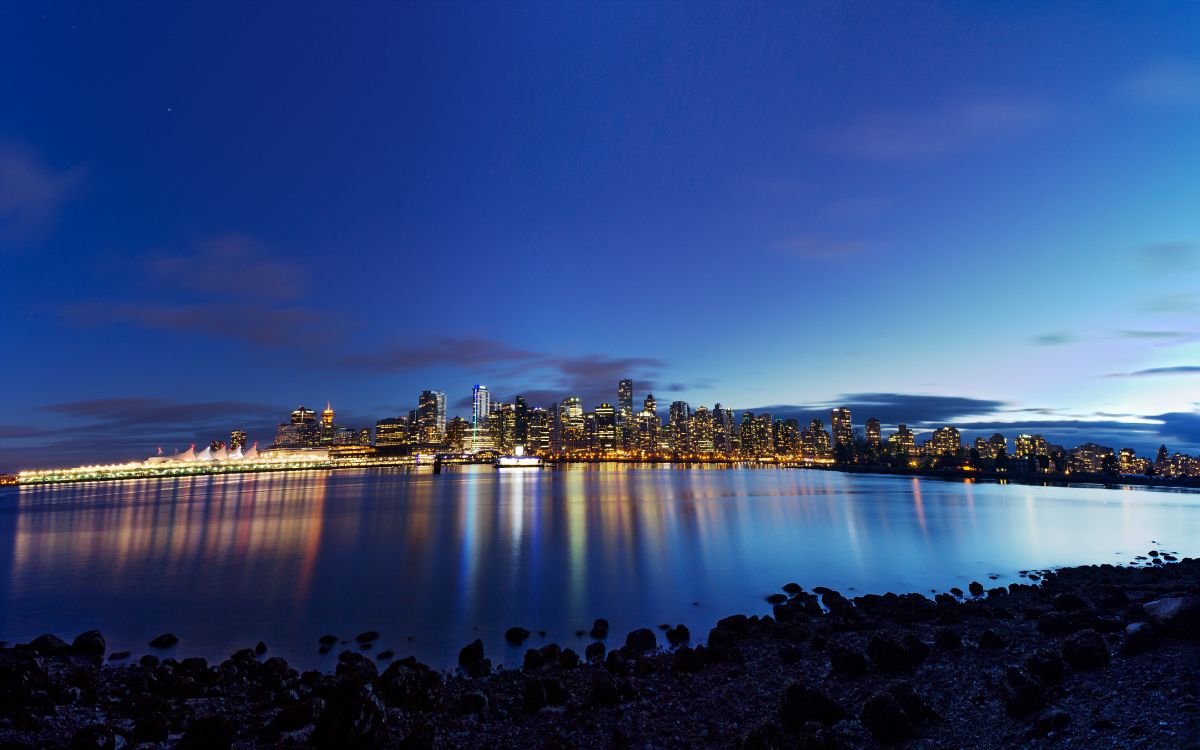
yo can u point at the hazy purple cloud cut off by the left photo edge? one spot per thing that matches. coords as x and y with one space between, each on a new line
32 195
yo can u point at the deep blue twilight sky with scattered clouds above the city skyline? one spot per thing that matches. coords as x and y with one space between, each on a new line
980 213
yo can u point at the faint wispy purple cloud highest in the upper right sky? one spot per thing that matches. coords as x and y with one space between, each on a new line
953 128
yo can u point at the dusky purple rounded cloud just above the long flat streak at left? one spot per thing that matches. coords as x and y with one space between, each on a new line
232 266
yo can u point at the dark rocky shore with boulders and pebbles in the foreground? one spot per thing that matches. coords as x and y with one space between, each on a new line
1093 657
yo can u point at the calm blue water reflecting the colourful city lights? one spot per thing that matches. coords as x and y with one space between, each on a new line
435 561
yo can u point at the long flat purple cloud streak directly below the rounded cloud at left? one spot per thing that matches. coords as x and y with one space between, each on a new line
251 323
